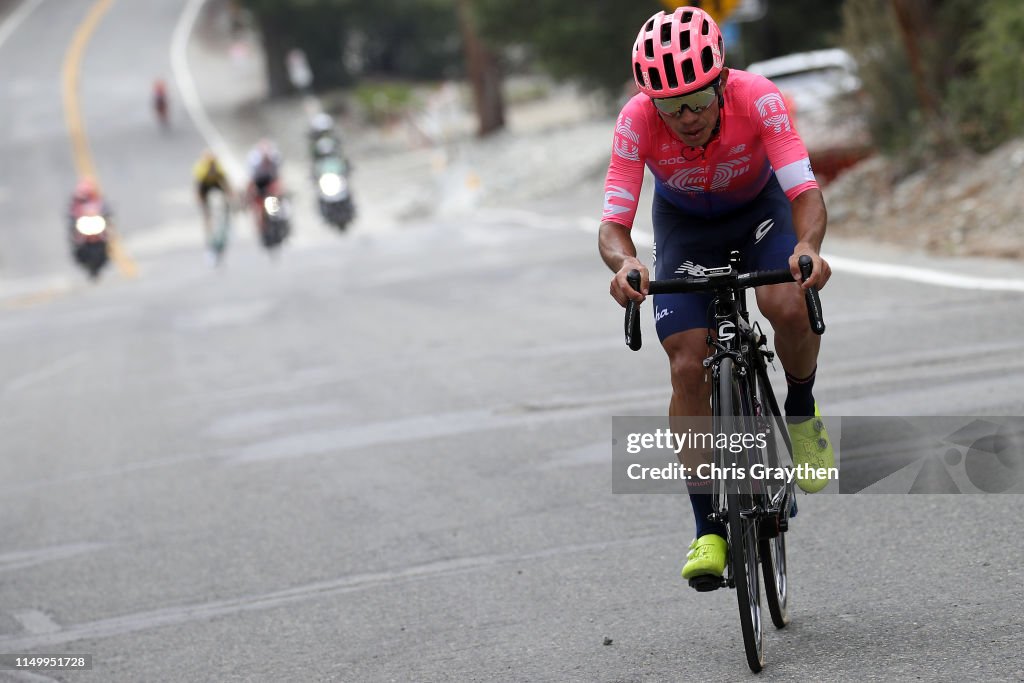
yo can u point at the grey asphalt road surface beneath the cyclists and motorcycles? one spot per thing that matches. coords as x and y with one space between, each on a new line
386 455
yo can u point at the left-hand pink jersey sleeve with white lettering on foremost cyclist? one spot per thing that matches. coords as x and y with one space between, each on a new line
625 177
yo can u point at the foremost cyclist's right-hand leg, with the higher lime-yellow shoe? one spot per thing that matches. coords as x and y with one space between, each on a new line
770 247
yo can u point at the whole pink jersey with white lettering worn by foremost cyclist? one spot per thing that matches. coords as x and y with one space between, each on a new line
755 140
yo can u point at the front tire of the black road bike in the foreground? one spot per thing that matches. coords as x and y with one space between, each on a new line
744 550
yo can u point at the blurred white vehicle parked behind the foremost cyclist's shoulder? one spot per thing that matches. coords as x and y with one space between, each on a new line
822 90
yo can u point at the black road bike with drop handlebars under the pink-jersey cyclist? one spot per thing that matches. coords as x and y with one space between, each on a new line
755 509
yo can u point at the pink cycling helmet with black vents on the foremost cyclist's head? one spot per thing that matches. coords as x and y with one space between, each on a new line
678 54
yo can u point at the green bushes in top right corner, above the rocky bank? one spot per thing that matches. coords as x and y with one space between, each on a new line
972 58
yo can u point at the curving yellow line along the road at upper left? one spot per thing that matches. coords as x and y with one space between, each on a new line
73 118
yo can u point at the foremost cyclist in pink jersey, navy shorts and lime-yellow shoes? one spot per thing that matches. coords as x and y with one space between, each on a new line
731 174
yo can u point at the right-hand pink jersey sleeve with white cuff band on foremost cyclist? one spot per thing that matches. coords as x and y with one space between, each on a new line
787 152
